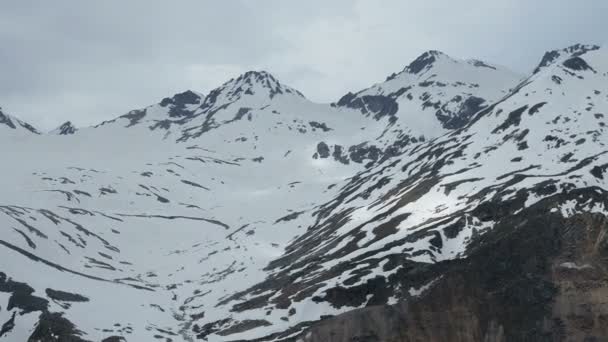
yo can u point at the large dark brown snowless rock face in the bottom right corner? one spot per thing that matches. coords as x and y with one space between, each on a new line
536 277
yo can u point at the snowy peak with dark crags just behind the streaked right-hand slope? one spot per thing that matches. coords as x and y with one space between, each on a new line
449 89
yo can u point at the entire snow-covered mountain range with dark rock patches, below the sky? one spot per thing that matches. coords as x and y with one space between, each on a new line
456 201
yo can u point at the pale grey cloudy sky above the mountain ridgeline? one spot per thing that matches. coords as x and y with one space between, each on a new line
87 61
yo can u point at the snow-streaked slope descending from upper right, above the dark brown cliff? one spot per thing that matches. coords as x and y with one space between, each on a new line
427 205
